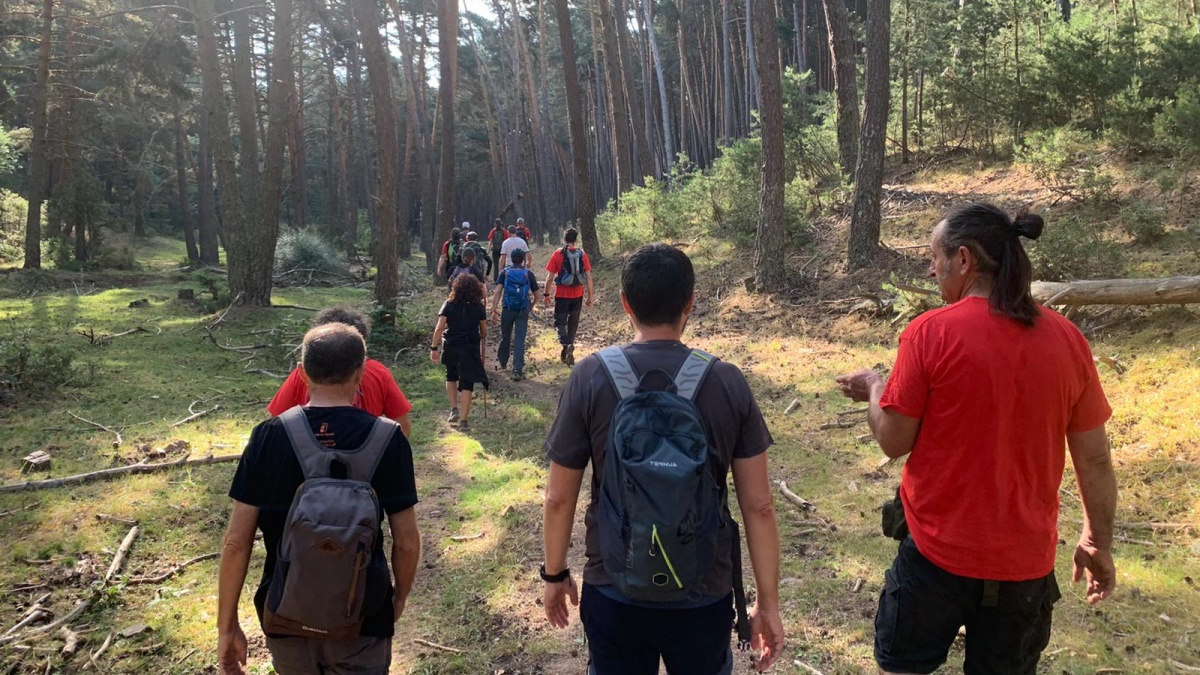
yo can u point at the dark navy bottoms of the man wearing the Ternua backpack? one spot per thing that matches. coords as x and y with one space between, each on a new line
626 640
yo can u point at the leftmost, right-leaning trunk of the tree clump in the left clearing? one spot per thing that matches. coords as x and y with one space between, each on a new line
233 213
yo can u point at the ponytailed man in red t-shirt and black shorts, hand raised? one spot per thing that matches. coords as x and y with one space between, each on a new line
983 396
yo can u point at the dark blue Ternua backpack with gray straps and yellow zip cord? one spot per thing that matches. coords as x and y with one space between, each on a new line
661 507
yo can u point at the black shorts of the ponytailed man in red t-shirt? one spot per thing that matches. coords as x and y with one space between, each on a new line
923 606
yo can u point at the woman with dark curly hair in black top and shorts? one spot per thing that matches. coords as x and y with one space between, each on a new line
459 343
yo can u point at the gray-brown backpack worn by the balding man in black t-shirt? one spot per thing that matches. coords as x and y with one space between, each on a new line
328 576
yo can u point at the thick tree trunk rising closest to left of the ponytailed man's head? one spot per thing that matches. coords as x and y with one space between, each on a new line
865 224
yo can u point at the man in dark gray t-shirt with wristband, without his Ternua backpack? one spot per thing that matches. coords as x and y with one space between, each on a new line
693 636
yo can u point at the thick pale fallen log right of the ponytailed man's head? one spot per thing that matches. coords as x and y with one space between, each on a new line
1169 291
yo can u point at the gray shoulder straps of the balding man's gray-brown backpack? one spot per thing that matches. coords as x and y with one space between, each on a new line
316 461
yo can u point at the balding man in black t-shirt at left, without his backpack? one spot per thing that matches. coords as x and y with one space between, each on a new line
263 489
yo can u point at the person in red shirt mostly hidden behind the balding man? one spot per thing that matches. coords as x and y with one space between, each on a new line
379 395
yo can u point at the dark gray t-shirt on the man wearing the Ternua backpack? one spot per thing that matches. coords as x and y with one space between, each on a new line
580 434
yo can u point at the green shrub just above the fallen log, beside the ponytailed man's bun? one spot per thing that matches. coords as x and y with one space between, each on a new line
1075 248
